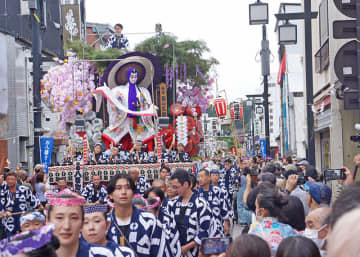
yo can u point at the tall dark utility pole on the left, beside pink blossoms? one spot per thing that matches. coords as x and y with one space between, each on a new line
36 58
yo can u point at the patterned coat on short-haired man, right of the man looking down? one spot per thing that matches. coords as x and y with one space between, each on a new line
220 208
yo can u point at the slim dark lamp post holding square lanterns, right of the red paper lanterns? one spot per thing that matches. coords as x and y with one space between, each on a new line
265 69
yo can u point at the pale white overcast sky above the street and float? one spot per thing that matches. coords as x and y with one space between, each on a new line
223 25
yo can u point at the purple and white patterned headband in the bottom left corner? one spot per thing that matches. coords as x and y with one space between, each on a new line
27 241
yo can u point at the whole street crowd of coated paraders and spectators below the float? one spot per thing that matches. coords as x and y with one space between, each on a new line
276 208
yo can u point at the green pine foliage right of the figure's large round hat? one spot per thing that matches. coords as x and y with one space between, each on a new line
189 52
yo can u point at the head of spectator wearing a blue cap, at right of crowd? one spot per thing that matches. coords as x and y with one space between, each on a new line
319 195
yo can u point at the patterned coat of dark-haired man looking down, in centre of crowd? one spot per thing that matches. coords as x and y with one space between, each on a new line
195 221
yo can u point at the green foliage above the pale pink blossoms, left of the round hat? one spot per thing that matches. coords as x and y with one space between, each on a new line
85 52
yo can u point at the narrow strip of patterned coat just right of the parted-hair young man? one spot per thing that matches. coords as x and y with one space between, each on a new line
172 234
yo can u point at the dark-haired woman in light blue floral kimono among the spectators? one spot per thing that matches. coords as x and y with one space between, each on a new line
268 212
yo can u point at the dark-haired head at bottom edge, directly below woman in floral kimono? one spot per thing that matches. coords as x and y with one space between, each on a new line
297 246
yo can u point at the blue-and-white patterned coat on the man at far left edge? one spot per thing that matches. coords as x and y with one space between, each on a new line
22 200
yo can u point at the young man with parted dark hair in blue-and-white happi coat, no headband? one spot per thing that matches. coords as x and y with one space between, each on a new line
137 229
